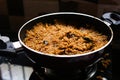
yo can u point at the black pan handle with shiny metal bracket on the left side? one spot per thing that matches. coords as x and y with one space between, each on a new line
10 49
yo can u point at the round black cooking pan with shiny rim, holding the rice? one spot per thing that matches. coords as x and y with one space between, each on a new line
65 61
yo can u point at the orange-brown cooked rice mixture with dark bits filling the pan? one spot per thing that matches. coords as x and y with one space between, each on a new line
60 39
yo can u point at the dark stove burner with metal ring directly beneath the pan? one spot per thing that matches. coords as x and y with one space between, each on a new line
49 74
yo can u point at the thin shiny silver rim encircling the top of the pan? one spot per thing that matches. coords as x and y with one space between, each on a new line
65 56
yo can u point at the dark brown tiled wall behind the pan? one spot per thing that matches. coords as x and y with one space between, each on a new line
14 13
